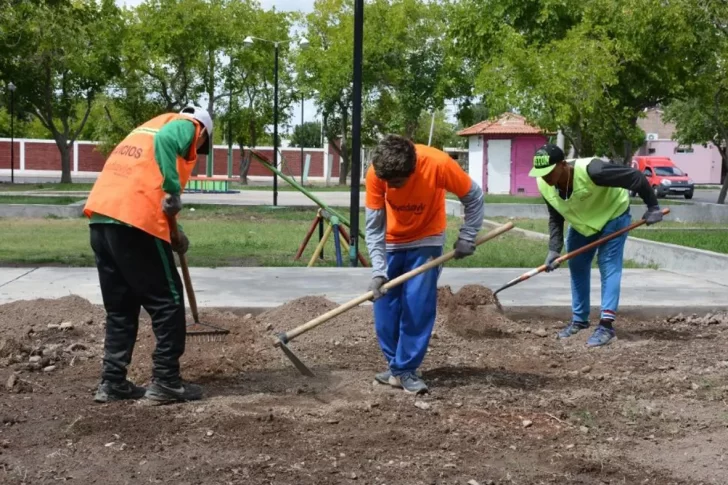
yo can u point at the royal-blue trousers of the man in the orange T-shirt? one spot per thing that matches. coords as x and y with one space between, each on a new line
405 315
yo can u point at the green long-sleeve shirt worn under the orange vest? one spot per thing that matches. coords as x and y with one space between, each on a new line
172 140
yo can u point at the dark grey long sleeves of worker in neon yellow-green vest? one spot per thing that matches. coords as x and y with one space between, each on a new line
606 175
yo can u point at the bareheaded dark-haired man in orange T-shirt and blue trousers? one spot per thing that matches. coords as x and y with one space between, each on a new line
405 227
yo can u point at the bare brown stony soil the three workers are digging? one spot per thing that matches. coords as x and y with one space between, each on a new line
508 403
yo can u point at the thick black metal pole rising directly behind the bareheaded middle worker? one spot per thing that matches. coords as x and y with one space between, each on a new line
356 131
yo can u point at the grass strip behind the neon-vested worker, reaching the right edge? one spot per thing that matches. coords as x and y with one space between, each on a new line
711 237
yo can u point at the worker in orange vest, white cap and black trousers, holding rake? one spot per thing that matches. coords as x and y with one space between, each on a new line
138 188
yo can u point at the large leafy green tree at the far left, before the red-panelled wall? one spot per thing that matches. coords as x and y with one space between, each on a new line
64 53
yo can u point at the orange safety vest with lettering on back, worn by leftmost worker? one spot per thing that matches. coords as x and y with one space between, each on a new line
129 187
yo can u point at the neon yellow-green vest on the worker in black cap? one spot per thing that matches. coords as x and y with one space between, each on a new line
590 206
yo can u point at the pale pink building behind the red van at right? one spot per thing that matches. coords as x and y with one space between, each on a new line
703 164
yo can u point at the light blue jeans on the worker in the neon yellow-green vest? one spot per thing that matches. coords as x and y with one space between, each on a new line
610 258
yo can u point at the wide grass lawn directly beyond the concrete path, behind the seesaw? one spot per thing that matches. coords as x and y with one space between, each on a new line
234 236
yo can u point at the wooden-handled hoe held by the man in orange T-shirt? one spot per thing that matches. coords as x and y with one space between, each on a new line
282 339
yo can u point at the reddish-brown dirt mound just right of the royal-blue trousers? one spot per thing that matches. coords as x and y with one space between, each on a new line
472 312
